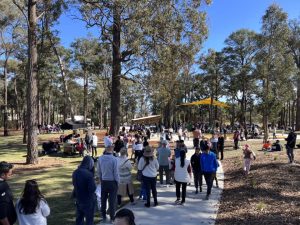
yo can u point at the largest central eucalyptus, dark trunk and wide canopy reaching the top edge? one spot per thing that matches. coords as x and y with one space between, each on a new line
133 28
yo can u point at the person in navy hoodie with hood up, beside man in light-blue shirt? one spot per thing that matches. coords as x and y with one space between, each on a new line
84 191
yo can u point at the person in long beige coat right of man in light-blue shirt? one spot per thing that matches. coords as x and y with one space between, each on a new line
125 185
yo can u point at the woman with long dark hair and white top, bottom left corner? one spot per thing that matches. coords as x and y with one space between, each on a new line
32 207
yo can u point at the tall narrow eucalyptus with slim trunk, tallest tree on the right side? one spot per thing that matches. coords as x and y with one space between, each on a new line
273 65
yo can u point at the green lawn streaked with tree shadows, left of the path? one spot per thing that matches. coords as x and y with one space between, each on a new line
53 174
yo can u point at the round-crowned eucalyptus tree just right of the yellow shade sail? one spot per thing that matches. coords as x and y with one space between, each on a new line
240 51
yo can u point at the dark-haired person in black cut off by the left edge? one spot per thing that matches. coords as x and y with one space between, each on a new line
8 214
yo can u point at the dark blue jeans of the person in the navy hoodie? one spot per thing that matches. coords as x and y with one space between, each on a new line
85 211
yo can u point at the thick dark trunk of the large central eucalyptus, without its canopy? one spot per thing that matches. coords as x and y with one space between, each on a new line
116 72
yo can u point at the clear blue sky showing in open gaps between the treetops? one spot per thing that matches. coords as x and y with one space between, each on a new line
224 17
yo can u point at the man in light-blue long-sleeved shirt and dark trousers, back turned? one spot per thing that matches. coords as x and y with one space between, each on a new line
108 173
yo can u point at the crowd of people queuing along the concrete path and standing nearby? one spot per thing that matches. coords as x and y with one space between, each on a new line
101 183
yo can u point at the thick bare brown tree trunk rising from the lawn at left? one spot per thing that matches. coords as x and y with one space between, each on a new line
32 144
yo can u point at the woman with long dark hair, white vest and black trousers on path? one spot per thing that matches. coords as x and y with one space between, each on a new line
182 176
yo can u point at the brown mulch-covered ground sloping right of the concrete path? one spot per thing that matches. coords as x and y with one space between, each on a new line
269 195
